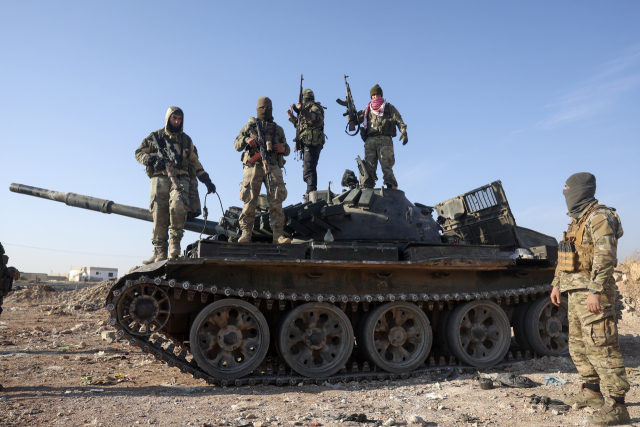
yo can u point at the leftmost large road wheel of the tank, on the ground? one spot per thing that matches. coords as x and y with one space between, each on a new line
229 338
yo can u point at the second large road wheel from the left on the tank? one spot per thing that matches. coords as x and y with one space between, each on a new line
315 339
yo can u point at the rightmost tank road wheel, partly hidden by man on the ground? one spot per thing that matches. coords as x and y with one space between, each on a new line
547 327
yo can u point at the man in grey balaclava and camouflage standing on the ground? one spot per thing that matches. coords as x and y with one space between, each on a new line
586 260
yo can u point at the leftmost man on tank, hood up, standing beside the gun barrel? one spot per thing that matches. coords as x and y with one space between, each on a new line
166 202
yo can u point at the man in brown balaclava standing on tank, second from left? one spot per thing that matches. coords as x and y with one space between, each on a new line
255 173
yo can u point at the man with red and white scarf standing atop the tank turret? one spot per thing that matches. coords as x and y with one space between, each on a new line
380 120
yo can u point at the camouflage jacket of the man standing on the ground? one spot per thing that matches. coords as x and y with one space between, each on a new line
602 230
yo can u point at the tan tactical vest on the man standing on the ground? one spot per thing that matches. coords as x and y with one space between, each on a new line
573 255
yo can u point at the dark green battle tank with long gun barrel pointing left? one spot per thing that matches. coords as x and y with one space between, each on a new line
373 287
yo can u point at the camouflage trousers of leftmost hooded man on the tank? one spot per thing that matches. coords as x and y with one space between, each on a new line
169 210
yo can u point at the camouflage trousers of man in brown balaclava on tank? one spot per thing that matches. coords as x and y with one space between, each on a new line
253 178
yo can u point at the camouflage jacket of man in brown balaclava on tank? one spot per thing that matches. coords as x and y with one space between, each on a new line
249 131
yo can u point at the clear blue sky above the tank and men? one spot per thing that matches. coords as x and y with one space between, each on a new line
525 93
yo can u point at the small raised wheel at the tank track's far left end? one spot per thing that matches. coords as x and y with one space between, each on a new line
143 309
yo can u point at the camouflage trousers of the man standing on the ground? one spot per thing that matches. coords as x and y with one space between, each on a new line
593 342
